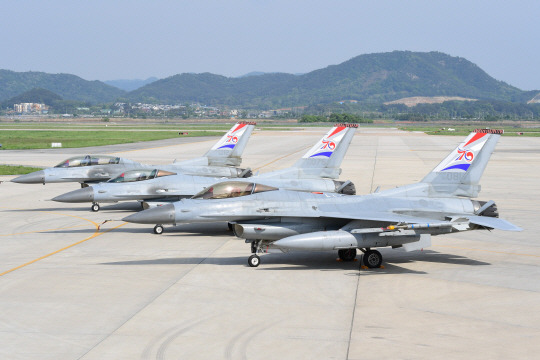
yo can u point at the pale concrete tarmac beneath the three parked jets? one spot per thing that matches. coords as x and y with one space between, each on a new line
70 289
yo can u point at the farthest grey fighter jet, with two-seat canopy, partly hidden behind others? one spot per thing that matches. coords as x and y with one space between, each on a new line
221 160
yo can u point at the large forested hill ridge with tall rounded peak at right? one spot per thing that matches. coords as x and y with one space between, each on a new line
372 78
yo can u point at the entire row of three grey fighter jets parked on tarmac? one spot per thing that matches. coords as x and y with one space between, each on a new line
301 208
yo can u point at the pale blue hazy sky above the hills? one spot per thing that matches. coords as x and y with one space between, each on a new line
129 39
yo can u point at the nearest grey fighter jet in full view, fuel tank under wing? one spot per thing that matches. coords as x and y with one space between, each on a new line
276 220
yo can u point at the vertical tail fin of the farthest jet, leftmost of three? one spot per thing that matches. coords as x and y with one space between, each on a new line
228 150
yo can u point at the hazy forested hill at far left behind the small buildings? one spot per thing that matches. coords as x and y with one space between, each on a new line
67 86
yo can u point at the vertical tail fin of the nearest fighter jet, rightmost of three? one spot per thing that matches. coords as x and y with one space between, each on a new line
460 172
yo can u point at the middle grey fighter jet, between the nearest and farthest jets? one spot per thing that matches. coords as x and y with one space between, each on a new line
315 171
